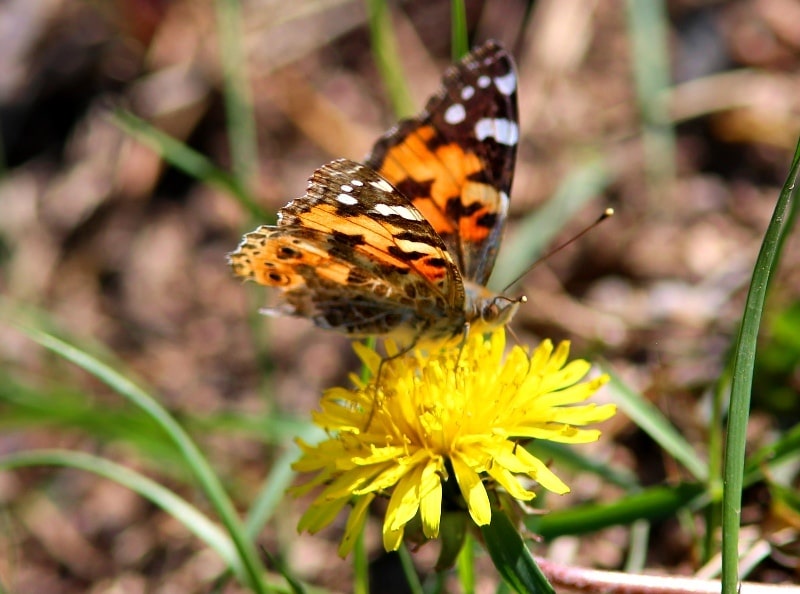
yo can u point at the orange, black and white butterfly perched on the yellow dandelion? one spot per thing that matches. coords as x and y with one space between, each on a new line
402 246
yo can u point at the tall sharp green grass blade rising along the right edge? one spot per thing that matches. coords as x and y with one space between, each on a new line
742 381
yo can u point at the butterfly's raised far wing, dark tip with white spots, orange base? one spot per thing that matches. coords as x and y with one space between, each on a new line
455 161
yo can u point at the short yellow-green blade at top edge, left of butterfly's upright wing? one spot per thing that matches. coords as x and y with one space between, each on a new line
384 48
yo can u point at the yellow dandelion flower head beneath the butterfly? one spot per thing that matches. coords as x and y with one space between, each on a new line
460 414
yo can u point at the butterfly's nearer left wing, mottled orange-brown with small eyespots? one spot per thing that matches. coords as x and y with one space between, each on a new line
354 255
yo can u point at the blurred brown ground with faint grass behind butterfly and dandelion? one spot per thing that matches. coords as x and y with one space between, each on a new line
683 117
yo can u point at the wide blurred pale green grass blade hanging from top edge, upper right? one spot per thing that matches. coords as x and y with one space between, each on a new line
648 30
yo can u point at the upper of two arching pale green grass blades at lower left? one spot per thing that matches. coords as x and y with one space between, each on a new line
195 461
